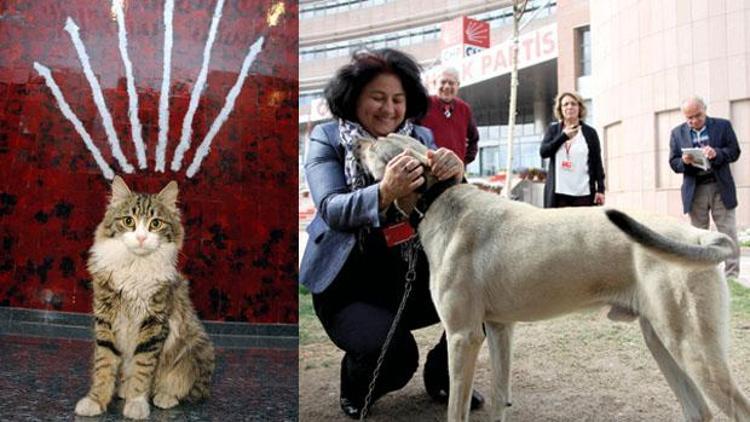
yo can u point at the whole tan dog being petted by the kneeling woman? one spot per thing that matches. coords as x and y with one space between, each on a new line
487 266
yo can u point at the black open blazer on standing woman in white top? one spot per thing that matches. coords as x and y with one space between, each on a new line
553 140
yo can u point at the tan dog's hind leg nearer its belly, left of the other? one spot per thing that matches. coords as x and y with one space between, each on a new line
691 399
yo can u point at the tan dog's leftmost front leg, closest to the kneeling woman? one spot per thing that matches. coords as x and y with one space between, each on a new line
463 349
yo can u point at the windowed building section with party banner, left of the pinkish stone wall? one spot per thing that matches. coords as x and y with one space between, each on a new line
330 31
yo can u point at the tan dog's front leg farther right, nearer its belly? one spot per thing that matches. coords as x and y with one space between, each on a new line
499 337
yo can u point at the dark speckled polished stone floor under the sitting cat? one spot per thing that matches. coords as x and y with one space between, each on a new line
41 379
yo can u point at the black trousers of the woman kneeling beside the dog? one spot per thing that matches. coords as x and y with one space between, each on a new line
357 311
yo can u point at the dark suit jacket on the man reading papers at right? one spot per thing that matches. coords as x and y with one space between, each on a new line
721 137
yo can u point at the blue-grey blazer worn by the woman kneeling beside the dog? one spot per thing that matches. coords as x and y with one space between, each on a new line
340 211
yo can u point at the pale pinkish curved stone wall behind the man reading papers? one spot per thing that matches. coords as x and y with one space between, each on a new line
671 50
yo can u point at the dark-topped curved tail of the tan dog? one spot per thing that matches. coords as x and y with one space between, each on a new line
713 249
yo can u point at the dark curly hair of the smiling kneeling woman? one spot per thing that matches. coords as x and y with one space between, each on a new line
342 92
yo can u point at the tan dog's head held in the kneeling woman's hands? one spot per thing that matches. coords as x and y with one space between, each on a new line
374 155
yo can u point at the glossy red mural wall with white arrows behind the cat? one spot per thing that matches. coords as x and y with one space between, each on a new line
89 89
